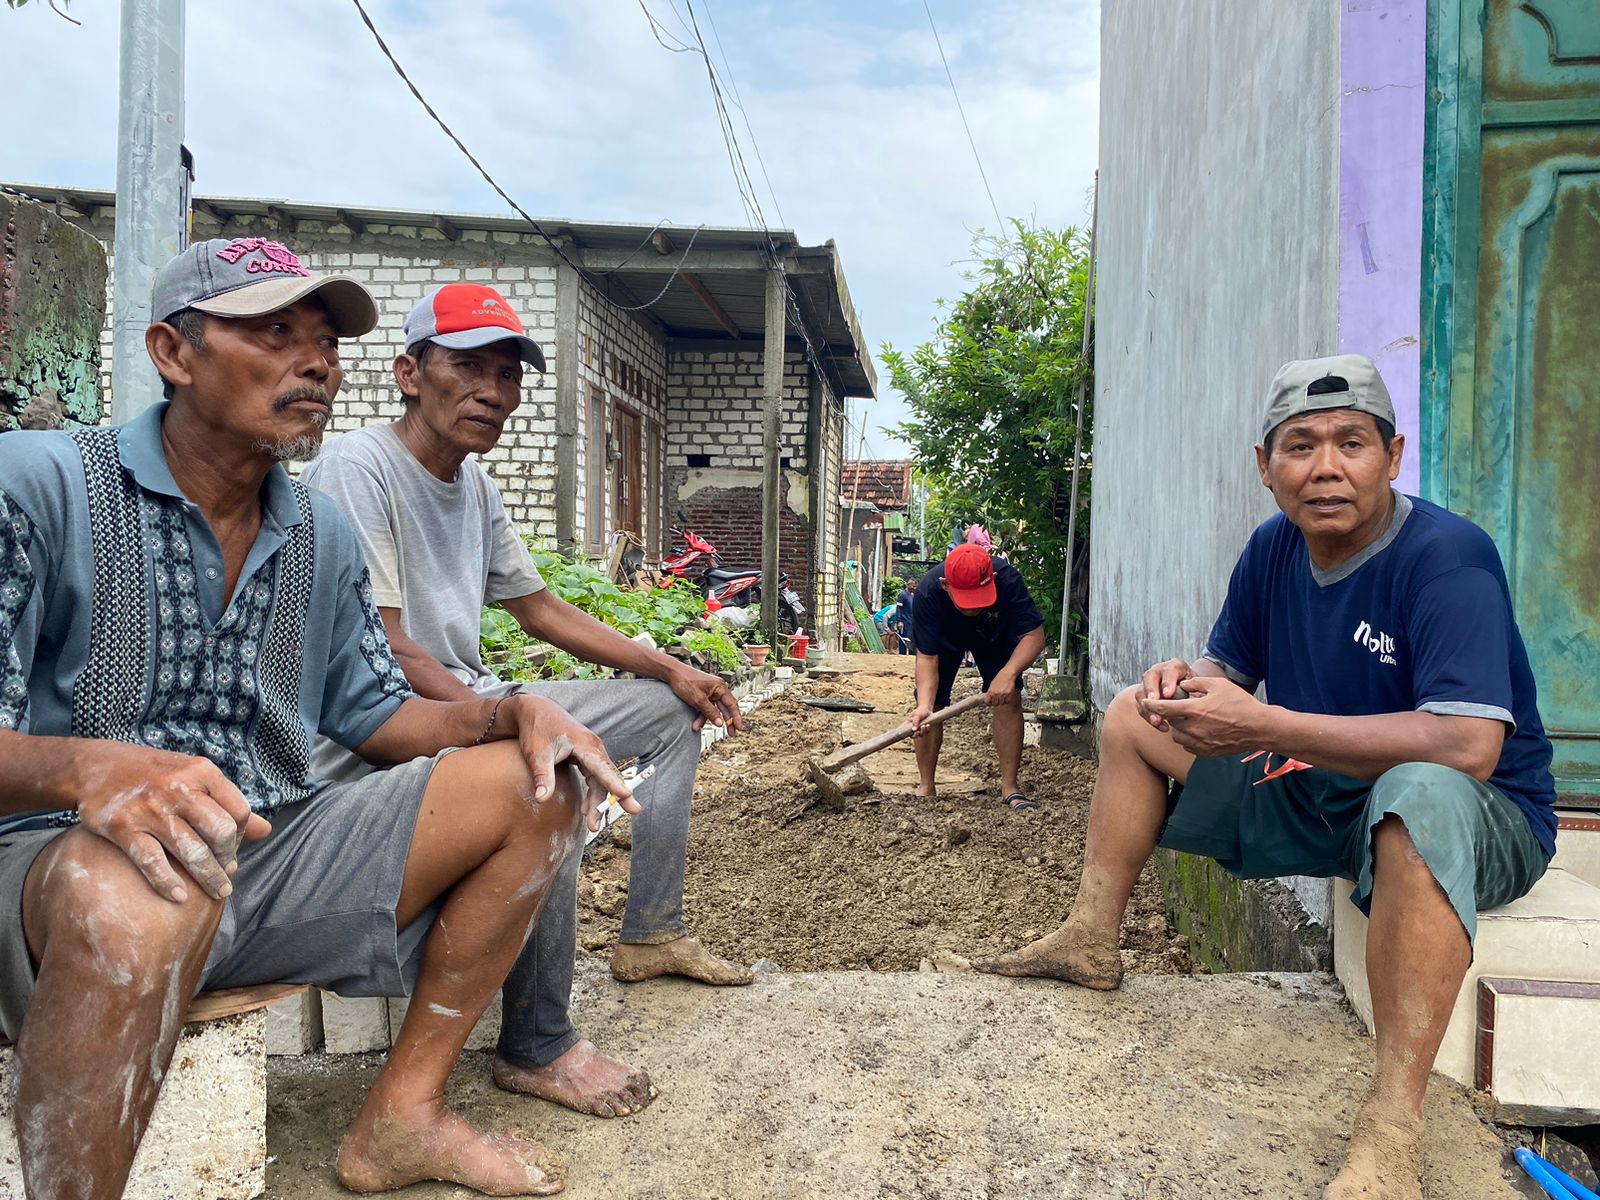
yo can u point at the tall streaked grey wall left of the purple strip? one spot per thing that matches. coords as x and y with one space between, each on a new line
1220 206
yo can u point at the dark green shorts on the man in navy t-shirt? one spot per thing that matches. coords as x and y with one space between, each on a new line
1262 822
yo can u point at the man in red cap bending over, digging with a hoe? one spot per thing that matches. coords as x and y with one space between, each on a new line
975 606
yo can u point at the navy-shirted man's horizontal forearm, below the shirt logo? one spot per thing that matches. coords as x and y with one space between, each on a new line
1364 748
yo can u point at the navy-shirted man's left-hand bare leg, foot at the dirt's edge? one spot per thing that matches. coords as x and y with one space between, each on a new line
1126 818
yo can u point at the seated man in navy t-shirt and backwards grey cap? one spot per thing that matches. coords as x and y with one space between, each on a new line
1402 746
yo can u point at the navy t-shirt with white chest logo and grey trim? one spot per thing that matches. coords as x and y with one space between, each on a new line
1420 622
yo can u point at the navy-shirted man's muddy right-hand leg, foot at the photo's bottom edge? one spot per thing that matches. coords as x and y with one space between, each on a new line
1417 958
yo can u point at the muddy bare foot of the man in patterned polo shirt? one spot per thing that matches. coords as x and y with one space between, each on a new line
396 1151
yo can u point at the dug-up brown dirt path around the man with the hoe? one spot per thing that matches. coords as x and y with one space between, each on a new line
894 881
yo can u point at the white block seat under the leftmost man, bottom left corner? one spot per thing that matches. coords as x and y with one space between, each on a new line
209 1135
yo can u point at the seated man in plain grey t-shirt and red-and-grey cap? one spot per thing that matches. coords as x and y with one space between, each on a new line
441 546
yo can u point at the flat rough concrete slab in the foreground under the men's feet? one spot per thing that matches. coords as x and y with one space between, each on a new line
938 1087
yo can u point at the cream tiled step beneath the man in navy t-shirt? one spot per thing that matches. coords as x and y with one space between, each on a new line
1524 1023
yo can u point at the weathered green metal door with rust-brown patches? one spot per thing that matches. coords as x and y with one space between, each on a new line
1511 423
